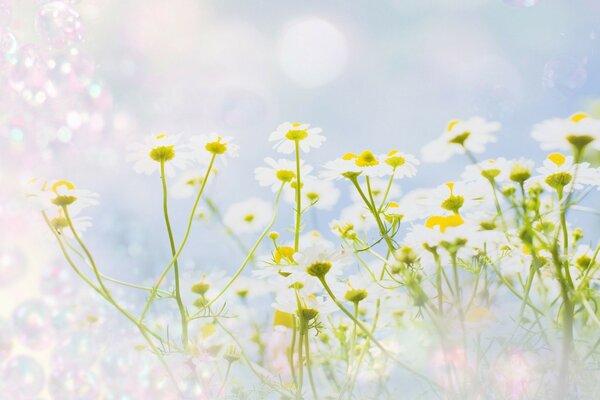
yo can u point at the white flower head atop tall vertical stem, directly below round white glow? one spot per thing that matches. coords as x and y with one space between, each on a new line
288 133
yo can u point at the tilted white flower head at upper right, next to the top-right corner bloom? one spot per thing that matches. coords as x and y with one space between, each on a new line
473 135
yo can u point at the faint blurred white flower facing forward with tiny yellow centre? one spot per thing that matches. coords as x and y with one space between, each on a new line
248 216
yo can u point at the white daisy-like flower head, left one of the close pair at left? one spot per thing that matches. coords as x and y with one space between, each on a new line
157 149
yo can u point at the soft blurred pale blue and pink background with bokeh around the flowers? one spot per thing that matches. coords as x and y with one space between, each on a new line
80 80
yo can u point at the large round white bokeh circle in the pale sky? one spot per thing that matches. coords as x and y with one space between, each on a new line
312 52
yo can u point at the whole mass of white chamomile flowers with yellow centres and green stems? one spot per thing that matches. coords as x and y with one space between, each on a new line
417 285
